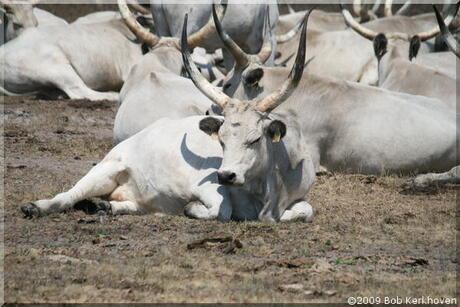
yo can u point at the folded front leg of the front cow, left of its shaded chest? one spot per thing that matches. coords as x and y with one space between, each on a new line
213 202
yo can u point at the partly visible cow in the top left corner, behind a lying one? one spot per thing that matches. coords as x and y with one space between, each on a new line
20 16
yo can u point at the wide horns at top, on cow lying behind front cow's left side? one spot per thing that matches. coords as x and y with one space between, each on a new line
152 40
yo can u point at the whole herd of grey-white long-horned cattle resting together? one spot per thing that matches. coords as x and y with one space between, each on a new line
211 123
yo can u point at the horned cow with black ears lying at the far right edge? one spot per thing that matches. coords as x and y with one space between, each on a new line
431 75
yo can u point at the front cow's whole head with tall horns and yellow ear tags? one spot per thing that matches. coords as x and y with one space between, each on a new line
247 133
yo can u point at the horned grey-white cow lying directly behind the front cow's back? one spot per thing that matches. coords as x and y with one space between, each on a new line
155 88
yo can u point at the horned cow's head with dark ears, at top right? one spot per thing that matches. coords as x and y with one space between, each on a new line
395 44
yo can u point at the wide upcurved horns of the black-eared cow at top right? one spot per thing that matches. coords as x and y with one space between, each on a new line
370 34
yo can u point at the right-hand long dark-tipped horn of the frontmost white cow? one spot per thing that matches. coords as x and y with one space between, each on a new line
276 98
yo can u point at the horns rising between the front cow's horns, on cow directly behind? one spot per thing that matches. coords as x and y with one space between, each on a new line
242 59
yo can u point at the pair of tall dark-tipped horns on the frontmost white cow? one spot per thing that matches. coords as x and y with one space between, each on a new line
266 104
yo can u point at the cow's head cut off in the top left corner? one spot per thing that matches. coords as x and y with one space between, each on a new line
19 16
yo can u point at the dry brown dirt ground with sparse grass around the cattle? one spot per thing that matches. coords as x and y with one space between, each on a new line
370 236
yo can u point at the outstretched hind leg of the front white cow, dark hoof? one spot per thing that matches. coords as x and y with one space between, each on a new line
101 180
